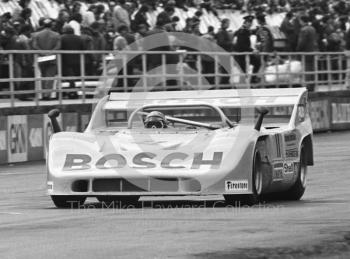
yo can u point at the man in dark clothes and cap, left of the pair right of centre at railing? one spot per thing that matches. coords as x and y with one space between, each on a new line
243 44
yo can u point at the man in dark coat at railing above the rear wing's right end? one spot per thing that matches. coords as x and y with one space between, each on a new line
307 42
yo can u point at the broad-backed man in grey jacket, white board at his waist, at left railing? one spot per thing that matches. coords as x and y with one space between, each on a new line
47 39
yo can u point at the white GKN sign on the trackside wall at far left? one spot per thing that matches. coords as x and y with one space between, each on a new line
17 138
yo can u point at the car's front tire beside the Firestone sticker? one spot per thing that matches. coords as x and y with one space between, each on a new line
257 181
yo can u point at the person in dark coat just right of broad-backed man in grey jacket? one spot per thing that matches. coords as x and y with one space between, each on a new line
71 62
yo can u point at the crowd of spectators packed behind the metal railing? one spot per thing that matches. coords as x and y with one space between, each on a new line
309 25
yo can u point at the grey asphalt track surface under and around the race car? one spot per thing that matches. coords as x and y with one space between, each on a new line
318 226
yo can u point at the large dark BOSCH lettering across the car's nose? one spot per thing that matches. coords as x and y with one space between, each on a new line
141 160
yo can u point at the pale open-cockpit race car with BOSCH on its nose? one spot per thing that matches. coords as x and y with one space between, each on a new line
244 144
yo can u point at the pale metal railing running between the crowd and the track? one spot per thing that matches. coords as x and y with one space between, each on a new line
26 73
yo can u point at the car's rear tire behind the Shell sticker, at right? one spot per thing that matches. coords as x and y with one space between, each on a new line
298 188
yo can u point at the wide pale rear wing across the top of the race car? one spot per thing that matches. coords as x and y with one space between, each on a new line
221 98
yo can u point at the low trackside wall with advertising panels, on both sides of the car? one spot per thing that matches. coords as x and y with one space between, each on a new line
25 131
